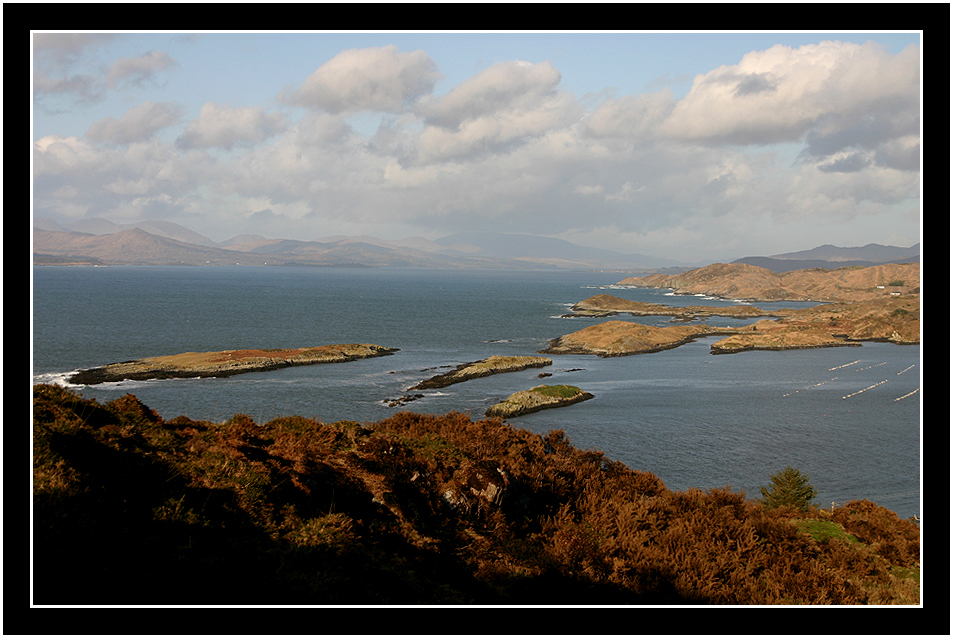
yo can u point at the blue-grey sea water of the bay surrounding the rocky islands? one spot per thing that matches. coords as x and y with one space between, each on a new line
845 416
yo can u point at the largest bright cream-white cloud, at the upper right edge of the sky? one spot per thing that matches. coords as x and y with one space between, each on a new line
782 94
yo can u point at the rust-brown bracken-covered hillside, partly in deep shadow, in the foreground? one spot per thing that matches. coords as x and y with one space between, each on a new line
414 509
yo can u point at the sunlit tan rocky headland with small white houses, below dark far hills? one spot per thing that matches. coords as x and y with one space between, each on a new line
747 282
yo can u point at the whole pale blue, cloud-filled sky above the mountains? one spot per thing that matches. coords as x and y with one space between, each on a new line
683 146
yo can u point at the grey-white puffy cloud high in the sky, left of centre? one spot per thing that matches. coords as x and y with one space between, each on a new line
374 79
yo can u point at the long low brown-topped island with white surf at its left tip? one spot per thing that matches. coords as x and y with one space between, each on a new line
225 363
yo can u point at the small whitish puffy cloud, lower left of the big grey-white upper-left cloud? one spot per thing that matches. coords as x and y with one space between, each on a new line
225 126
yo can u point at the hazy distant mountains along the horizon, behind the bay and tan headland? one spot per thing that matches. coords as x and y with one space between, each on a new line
98 241
